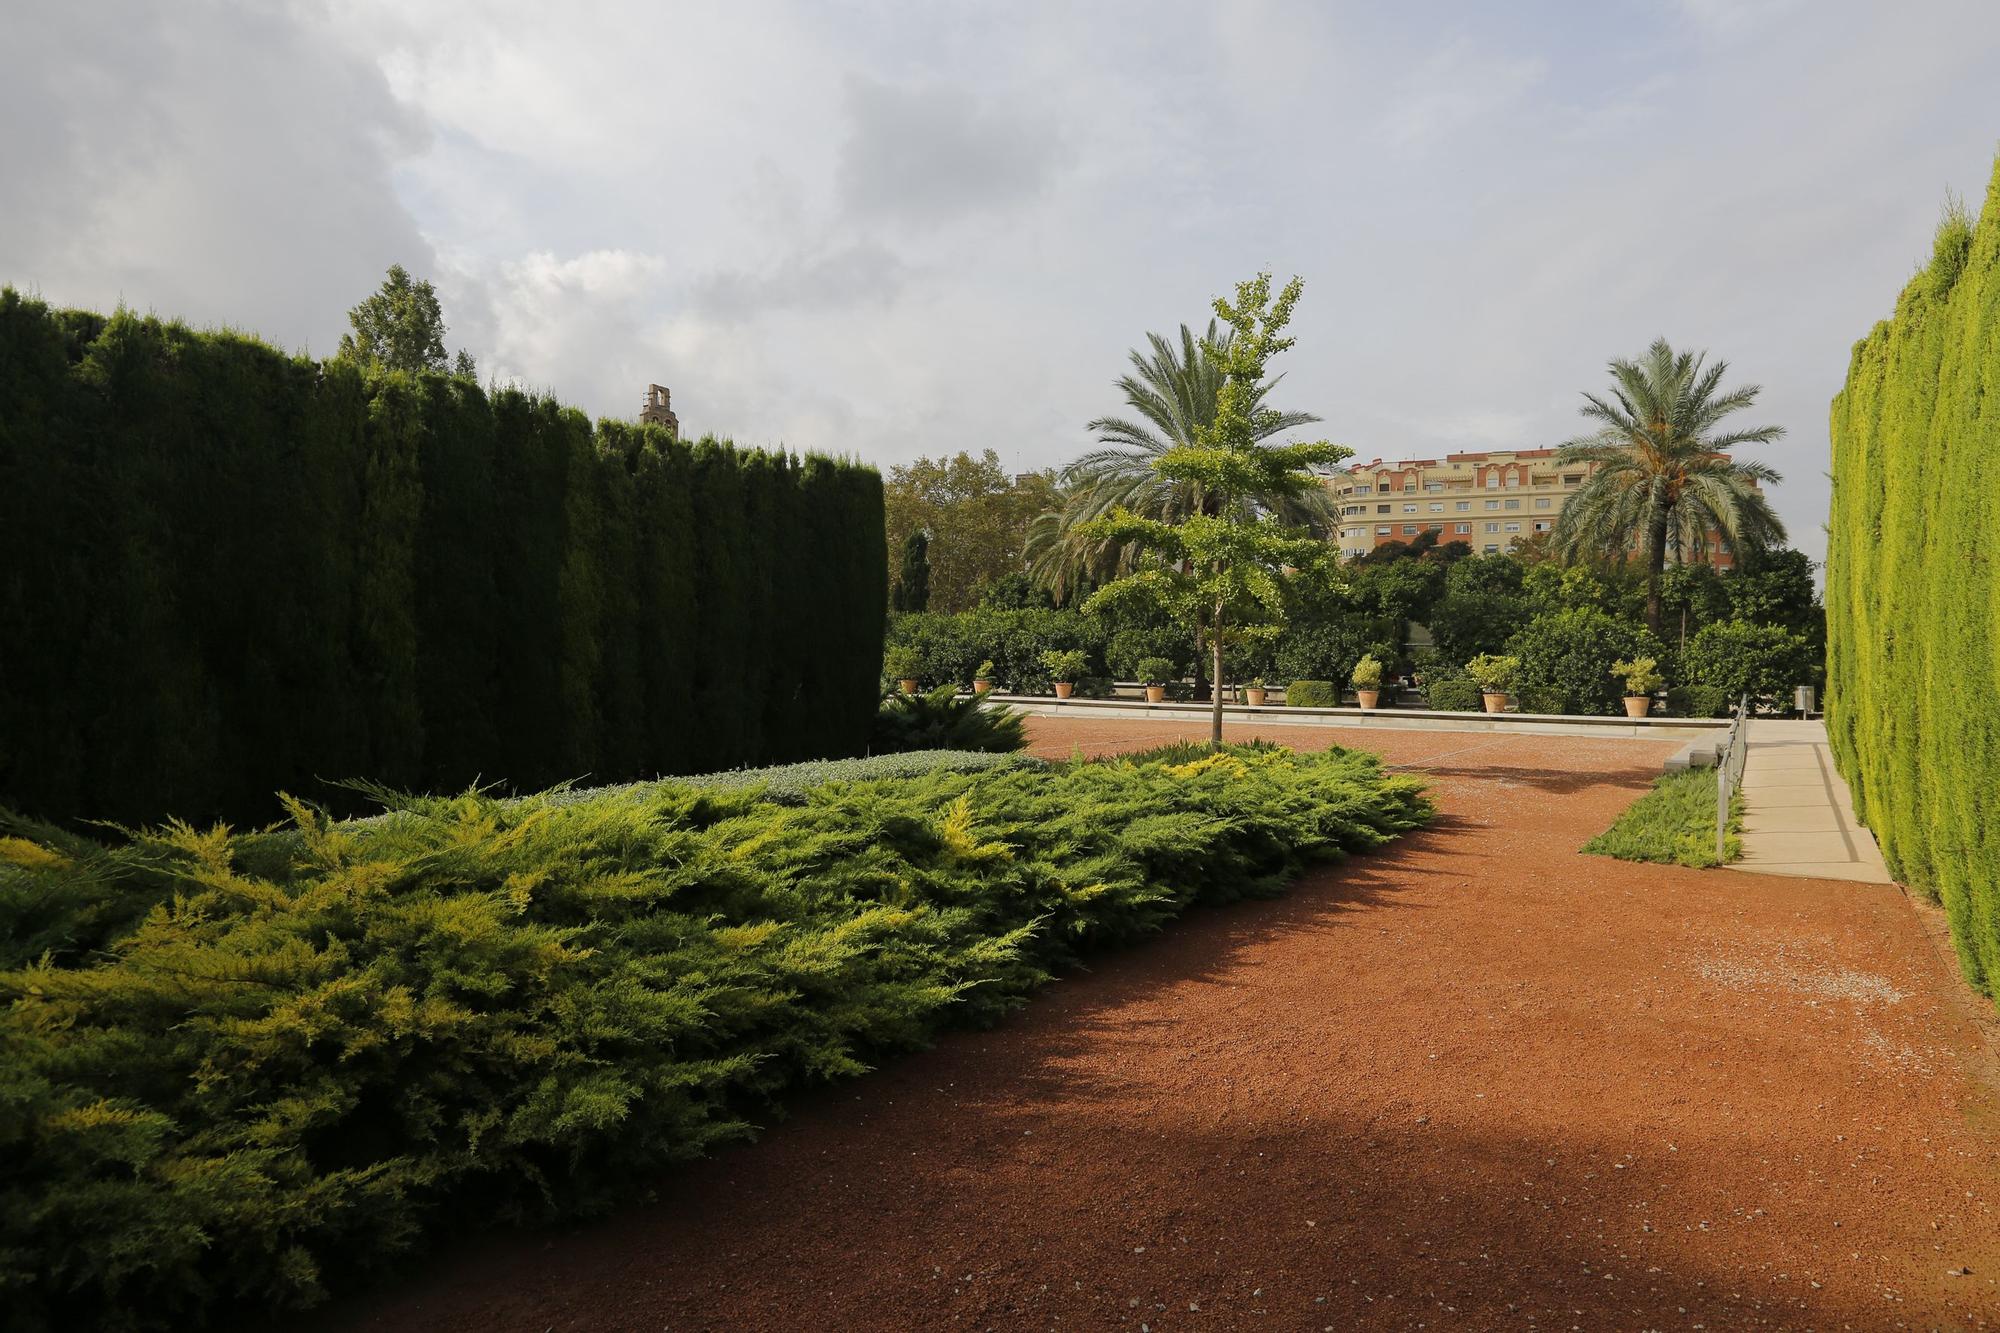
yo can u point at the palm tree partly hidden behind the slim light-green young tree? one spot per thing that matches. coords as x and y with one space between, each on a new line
1173 393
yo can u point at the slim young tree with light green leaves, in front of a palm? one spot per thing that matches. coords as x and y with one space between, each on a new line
1223 569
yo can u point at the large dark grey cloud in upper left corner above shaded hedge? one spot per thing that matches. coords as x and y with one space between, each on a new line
207 161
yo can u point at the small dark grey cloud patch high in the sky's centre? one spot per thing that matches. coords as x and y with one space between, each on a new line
931 153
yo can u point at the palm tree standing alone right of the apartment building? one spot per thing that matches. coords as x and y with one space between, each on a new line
1663 477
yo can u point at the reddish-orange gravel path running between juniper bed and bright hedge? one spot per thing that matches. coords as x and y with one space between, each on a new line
1471 1082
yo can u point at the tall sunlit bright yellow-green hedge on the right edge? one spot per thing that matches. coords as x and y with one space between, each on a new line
1913 585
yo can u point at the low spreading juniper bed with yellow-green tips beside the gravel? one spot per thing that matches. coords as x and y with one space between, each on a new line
253 1068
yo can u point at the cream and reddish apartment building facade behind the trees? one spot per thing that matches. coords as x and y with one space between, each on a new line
1491 501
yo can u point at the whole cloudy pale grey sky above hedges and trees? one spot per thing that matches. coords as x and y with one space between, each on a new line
909 229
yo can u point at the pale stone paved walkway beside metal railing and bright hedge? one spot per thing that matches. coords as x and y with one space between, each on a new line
1799 816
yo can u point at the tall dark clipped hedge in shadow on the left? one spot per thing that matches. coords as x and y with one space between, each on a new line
227 571
